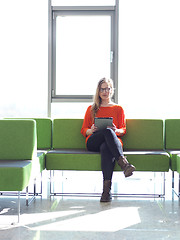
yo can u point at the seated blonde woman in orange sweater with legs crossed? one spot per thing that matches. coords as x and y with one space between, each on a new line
107 141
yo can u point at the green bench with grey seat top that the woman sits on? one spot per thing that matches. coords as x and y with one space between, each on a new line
143 145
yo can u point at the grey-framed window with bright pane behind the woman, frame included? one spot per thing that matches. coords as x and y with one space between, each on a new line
83 48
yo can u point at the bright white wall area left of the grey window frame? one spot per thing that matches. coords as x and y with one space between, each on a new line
23 58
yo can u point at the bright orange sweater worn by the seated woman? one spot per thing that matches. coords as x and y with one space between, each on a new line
114 111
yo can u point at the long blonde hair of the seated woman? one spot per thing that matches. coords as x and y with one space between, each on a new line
97 99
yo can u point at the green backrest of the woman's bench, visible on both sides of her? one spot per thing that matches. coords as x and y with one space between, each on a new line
142 134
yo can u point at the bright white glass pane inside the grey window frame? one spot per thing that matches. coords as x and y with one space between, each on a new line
83 47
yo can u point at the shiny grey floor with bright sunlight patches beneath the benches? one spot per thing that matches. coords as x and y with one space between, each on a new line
76 218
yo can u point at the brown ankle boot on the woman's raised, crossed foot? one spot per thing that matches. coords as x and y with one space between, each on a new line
126 166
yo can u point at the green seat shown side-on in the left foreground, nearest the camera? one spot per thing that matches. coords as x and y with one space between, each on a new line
17 155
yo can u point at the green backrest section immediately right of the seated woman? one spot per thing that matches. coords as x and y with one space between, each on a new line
143 134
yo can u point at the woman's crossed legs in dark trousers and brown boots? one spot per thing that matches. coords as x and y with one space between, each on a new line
107 143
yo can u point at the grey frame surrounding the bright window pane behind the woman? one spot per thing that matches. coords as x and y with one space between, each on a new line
54 12
